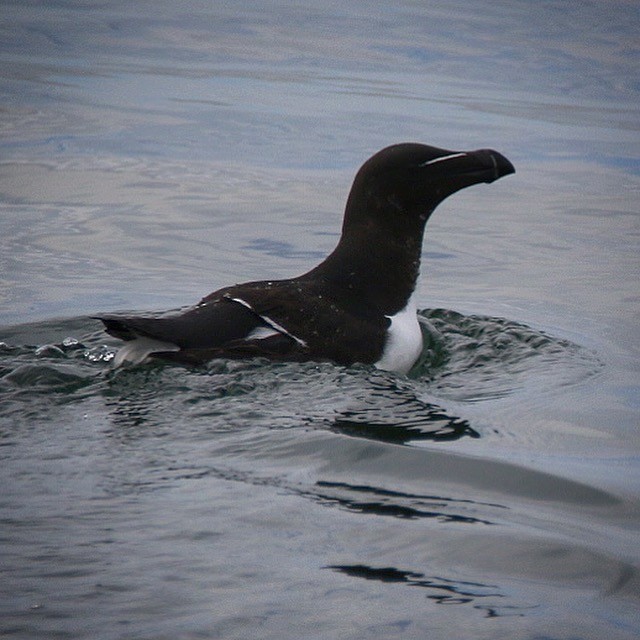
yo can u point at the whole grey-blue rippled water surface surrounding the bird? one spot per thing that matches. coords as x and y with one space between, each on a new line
153 152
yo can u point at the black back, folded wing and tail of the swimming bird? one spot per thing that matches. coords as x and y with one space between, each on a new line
287 320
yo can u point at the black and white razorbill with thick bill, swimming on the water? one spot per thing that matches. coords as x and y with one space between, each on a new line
343 309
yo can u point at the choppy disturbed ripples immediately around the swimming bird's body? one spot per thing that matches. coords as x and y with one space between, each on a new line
465 358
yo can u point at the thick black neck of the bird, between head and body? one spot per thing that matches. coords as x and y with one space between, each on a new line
381 272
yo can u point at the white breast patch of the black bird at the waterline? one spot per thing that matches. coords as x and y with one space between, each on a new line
404 340
